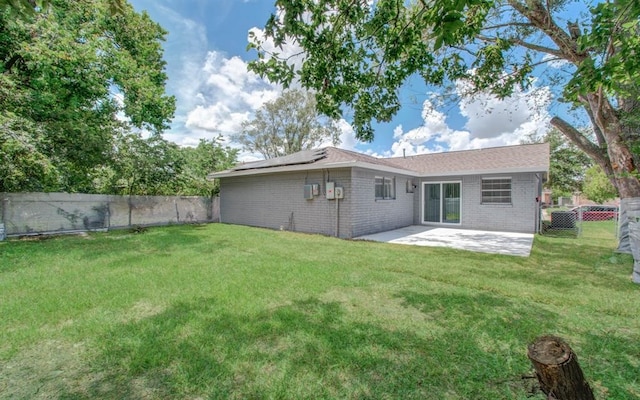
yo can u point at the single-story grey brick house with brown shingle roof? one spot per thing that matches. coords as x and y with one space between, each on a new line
347 194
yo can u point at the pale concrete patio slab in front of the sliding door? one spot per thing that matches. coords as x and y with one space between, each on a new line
509 243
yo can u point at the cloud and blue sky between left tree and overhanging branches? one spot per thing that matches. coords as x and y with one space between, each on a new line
214 92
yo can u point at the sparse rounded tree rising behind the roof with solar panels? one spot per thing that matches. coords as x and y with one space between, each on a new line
287 125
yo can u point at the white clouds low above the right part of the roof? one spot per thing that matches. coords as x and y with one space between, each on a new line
489 122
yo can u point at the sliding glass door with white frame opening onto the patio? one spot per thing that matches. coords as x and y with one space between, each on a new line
441 202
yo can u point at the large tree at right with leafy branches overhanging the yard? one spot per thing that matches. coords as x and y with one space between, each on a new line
358 53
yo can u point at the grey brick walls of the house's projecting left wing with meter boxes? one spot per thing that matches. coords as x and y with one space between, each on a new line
276 201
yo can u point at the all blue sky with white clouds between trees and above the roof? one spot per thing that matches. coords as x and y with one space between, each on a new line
206 60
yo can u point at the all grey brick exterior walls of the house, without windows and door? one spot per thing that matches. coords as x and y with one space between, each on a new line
276 201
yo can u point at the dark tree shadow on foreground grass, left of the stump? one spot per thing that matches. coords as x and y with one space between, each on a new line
311 349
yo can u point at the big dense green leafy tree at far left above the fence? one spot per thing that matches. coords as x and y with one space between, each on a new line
68 73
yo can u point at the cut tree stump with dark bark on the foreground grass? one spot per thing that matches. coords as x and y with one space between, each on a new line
558 370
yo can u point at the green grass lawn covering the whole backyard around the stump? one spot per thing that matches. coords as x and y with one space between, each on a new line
219 311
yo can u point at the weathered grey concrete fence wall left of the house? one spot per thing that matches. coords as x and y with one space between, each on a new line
44 213
